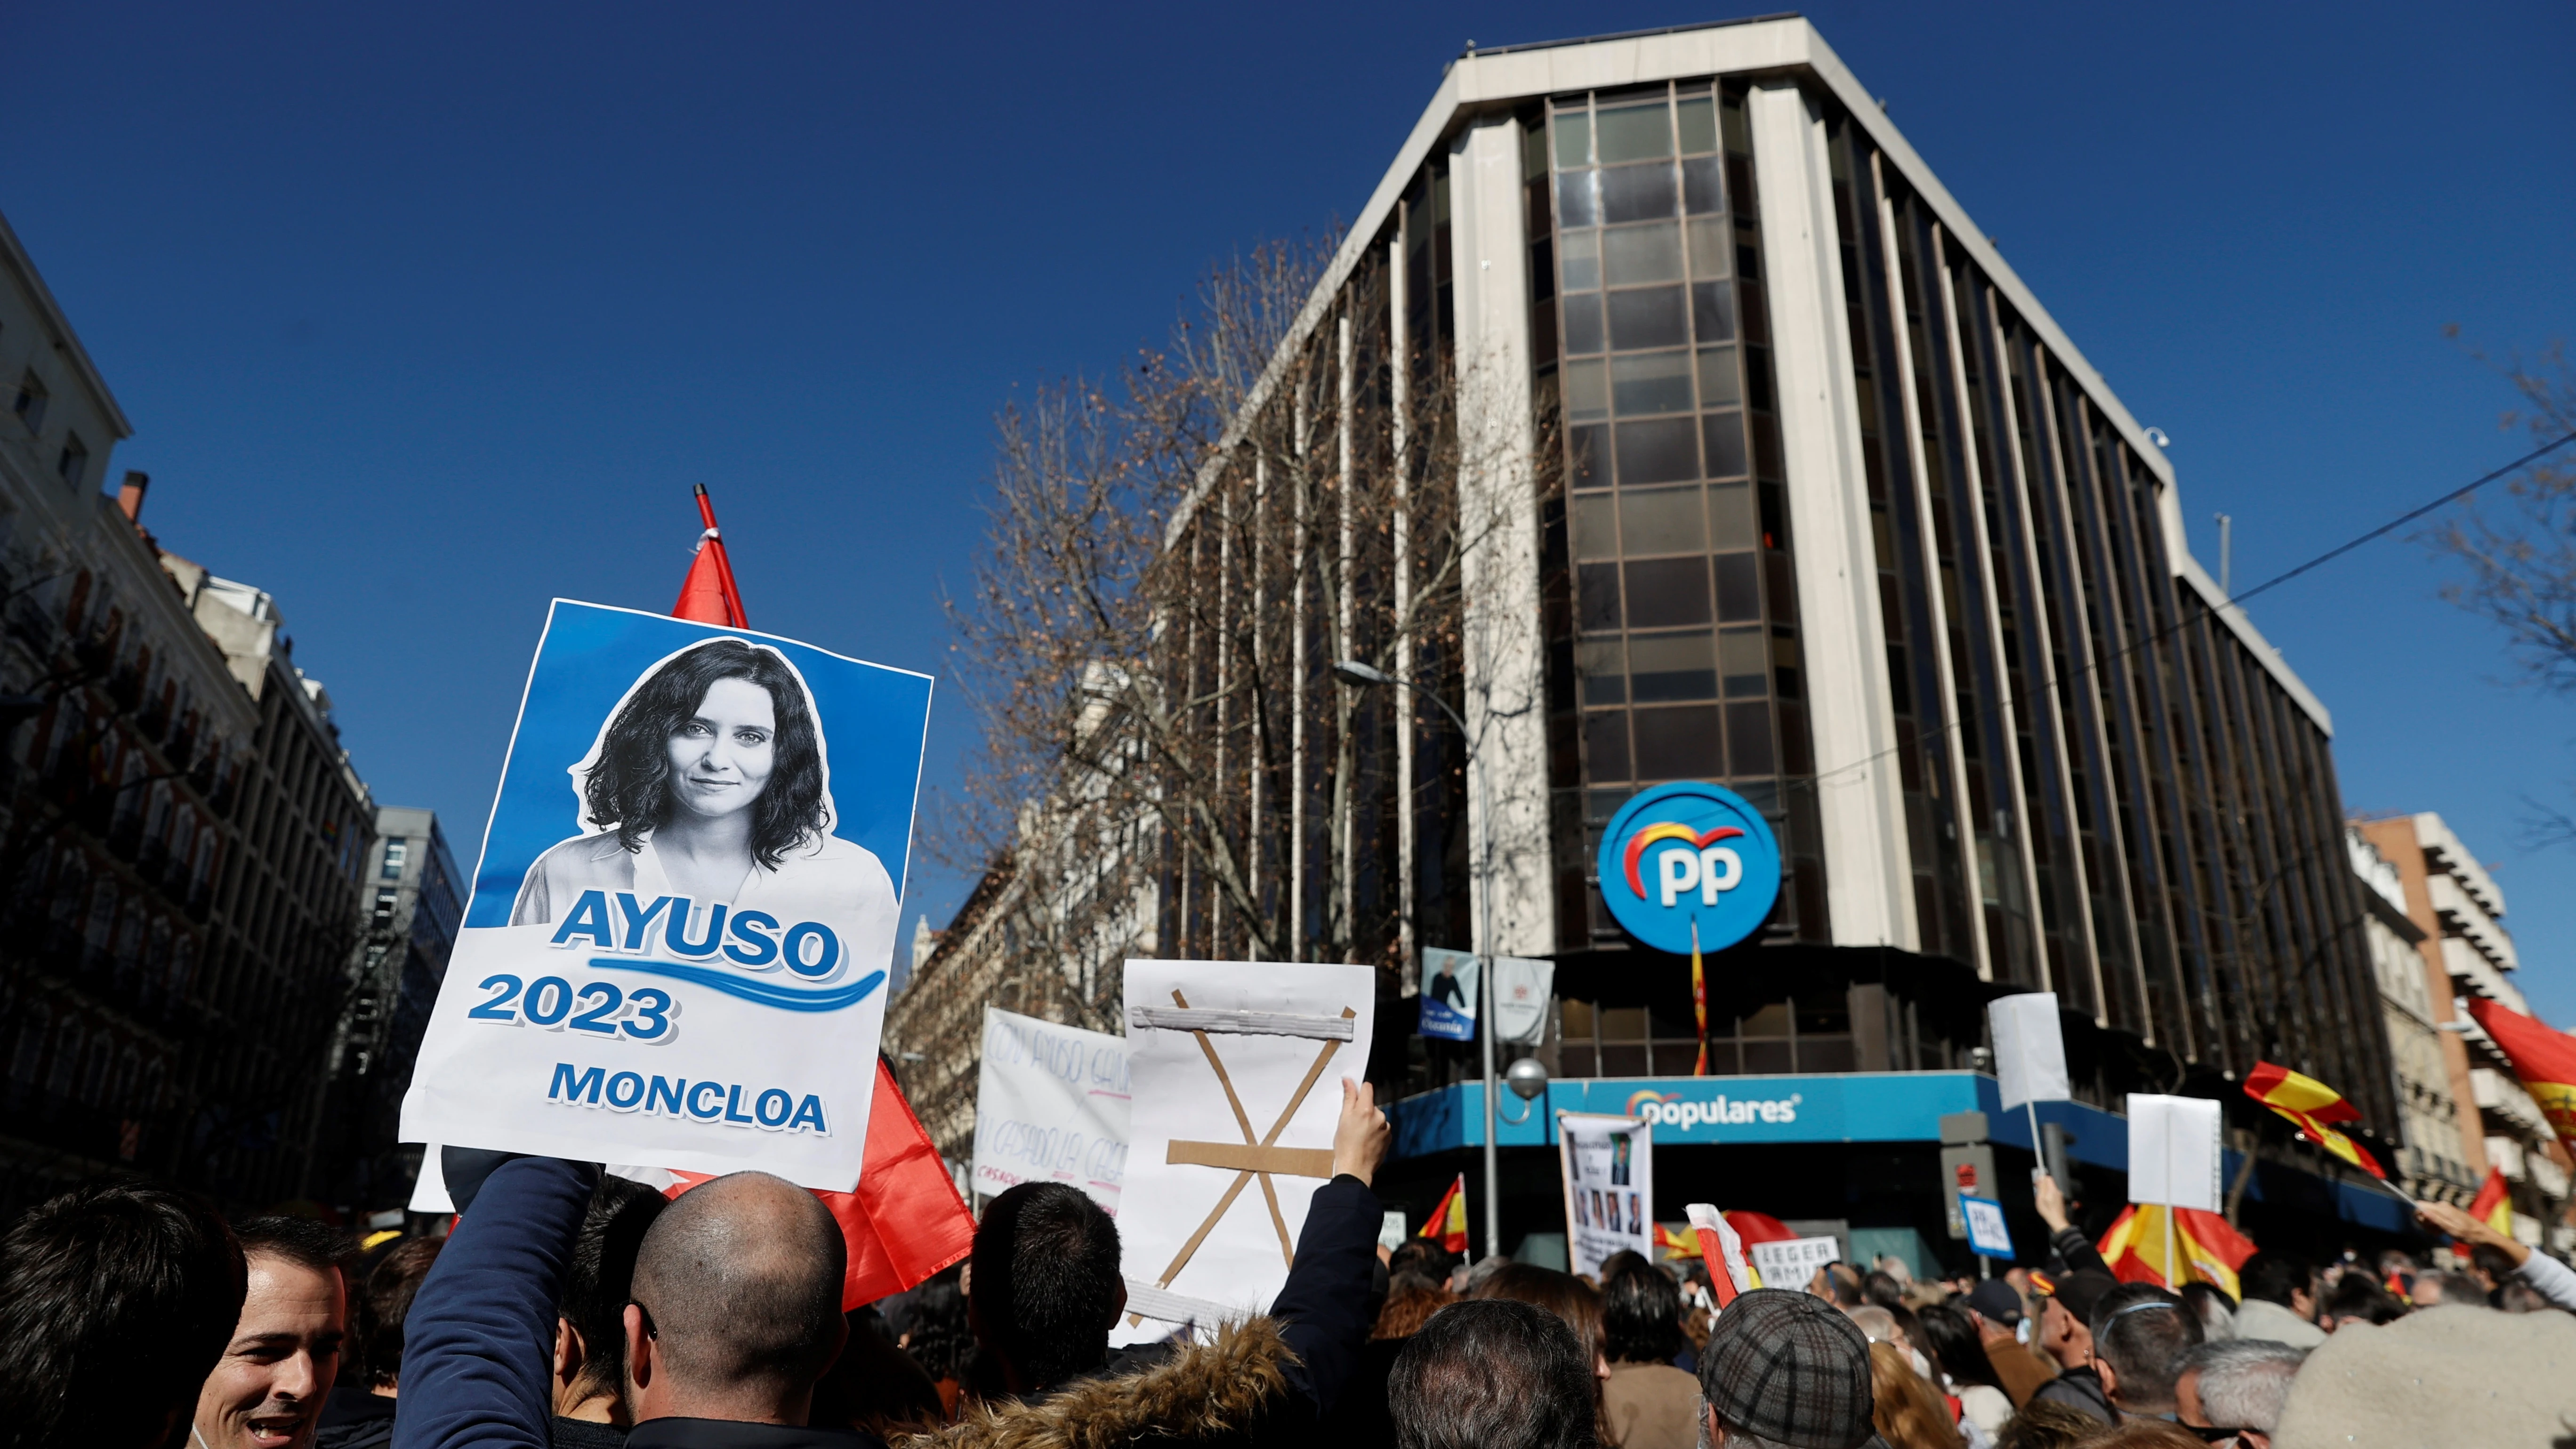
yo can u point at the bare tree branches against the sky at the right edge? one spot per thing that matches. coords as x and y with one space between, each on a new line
2521 558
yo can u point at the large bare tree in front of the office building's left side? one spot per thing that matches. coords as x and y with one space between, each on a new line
1173 566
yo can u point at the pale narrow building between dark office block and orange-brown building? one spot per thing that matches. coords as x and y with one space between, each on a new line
2433 1162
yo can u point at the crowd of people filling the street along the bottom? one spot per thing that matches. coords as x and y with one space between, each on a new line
583 1311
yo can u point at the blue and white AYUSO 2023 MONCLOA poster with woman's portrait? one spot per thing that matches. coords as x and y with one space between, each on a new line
684 914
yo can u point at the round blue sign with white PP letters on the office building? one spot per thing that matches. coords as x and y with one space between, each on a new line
1689 865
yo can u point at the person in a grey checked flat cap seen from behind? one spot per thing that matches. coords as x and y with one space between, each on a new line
1786 1368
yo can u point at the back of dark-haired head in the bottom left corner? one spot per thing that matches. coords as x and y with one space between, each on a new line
115 1303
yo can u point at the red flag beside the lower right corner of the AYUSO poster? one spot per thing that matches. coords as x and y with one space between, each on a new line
905 1218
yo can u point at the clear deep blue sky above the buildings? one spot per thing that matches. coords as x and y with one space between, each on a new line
431 316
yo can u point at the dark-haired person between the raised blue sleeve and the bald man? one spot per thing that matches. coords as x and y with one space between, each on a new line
591 1316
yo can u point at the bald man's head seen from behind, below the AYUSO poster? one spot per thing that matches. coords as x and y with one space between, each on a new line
741 1288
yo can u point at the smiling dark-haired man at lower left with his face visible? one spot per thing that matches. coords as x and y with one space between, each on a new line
285 1352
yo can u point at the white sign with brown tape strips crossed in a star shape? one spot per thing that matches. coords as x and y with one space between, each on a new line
1238 1087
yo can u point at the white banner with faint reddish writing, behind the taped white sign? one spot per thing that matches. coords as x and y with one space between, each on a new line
1050 1107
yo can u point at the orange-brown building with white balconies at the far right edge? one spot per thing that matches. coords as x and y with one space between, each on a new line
2467 953
